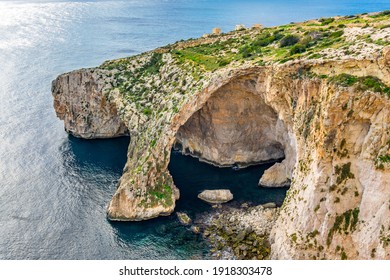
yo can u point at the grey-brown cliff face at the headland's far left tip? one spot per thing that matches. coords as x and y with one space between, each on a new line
86 111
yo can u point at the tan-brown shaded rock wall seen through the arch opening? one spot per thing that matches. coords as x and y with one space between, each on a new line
235 127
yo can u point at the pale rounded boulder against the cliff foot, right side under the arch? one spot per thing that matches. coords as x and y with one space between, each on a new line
276 176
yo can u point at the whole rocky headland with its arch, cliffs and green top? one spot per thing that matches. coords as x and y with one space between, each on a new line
315 95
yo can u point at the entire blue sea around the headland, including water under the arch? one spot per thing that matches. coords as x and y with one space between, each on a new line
54 188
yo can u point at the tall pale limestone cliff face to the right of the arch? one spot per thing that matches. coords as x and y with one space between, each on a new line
338 205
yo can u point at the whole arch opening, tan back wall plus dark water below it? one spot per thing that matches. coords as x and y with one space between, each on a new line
234 128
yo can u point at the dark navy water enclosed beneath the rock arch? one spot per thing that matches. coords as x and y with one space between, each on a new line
198 176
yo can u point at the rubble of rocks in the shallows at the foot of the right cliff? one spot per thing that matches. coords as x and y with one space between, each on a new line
237 232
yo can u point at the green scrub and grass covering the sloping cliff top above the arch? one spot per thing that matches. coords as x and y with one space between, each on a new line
278 44
